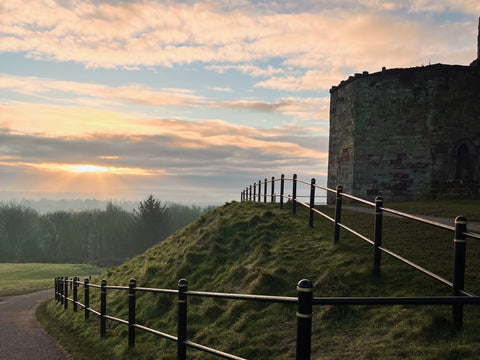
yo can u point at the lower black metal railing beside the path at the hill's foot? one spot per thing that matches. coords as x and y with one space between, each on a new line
304 309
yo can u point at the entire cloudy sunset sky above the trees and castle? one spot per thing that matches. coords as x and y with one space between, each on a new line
192 101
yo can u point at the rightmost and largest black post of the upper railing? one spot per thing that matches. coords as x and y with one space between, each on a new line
459 269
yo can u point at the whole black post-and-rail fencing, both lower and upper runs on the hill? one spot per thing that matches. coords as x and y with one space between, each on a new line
305 300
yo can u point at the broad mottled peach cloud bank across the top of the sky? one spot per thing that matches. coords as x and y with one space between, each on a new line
106 35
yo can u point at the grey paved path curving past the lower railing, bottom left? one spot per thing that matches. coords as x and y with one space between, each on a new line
21 335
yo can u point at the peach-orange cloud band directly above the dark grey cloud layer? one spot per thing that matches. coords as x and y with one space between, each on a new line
73 123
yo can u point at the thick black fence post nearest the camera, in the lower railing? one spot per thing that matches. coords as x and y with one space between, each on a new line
304 319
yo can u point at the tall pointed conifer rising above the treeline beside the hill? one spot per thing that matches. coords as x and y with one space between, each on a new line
150 220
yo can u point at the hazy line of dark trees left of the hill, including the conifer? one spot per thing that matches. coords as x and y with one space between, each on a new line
103 237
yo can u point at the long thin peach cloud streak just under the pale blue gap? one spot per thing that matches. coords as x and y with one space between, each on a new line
107 99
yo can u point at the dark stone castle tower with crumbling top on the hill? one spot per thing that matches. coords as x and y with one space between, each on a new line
407 134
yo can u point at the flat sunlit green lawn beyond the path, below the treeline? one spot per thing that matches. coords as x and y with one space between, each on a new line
16 278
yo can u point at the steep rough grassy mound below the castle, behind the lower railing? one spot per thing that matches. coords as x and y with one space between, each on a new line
257 248
